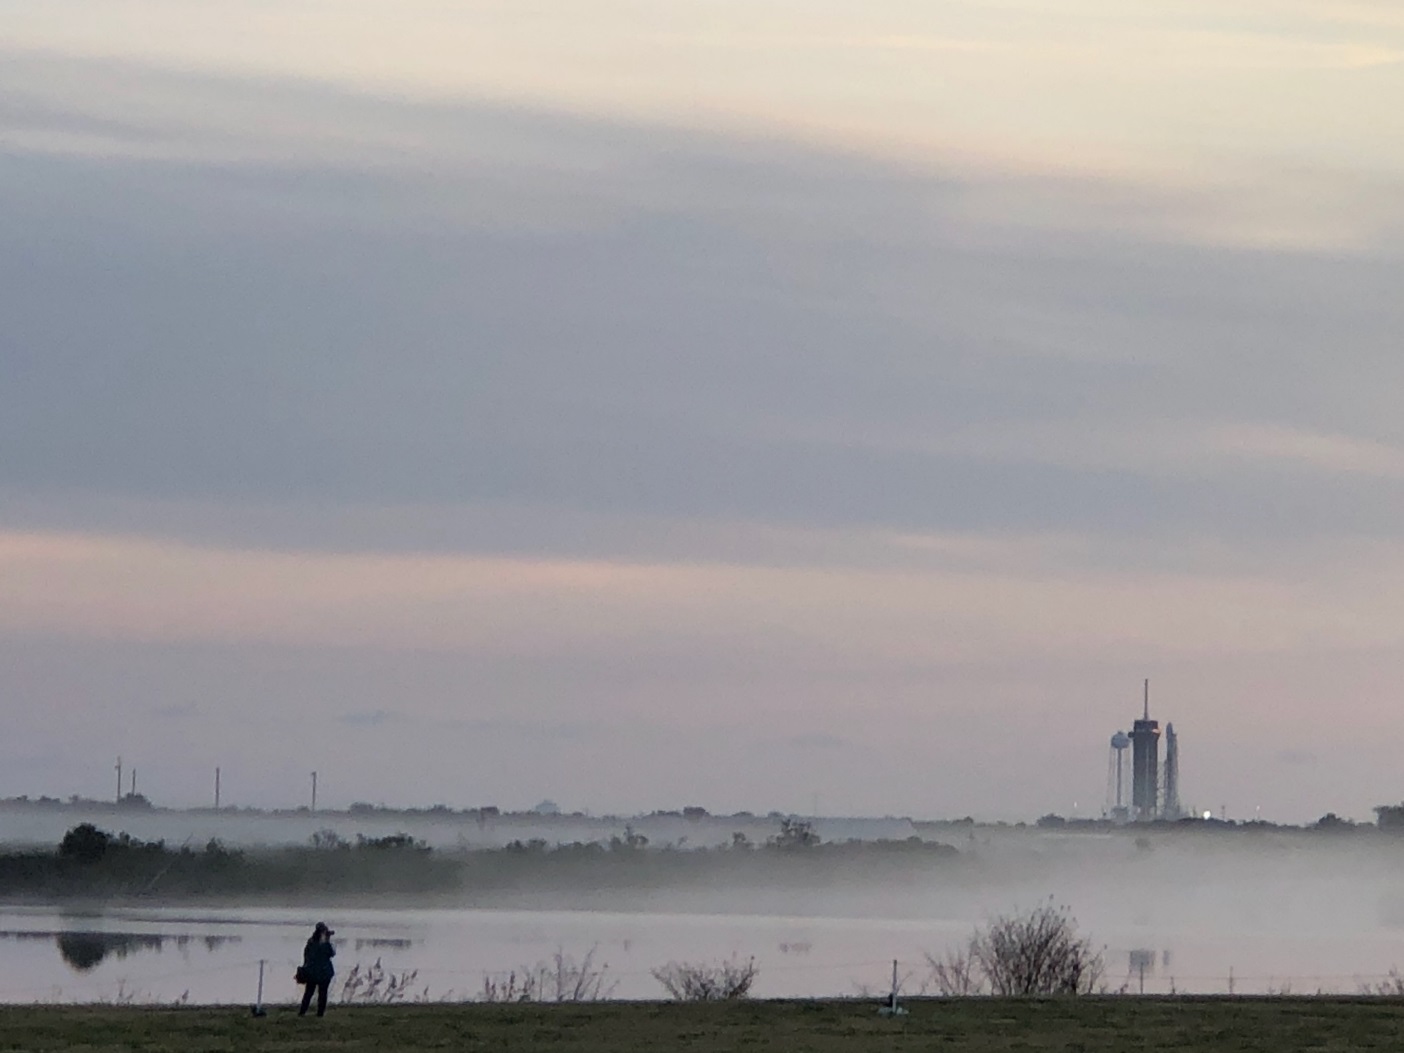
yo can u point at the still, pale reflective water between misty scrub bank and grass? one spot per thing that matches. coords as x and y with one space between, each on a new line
213 955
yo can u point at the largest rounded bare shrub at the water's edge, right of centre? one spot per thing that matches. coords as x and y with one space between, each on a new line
1037 953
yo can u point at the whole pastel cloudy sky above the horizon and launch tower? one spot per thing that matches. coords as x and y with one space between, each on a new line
739 404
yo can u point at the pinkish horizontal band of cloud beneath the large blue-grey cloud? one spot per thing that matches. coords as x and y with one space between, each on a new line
661 621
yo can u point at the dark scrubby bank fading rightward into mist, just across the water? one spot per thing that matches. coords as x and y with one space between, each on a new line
95 864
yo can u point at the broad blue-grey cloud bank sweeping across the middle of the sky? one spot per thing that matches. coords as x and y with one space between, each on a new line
460 305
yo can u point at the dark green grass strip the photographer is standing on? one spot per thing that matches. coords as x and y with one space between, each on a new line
1273 1026
